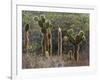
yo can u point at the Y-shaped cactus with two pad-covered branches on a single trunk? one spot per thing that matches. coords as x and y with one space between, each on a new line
76 40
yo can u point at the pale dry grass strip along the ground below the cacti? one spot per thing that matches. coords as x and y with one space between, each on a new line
39 61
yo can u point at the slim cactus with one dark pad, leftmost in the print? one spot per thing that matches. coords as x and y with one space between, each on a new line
26 37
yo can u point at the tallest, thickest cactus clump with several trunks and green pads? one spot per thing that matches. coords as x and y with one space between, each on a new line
45 26
